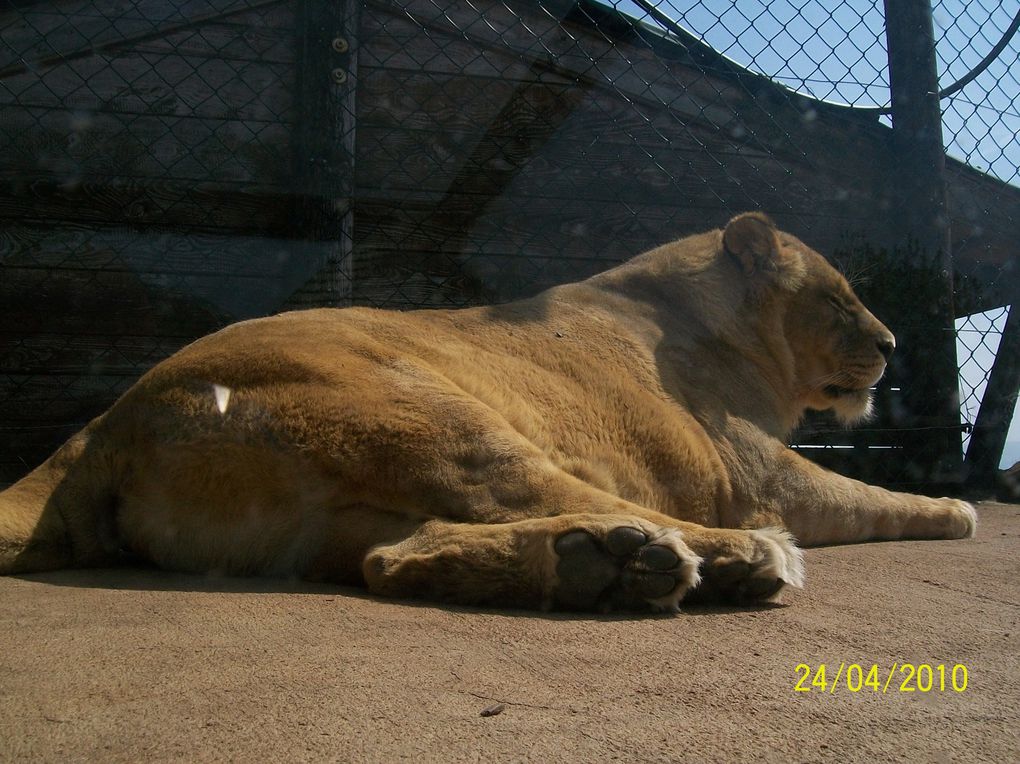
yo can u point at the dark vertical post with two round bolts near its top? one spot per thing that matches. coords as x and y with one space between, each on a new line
325 122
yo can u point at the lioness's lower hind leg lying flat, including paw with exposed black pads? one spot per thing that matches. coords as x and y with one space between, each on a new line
590 563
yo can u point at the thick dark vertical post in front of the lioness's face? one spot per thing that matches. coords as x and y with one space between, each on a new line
927 355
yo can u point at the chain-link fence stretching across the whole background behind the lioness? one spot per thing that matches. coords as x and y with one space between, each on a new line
170 169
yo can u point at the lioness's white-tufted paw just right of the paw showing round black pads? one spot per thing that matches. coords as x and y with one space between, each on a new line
753 571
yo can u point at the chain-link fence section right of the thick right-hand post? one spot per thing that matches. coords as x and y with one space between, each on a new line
982 128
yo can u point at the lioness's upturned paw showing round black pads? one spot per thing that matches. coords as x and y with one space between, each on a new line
624 568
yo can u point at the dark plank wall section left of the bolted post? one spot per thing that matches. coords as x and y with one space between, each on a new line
145 186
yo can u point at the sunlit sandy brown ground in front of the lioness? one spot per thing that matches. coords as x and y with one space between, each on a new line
138 666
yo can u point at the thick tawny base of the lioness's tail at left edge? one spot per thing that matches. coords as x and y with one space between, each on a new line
53 518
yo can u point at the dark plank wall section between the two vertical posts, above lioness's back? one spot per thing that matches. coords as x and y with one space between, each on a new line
495 160
